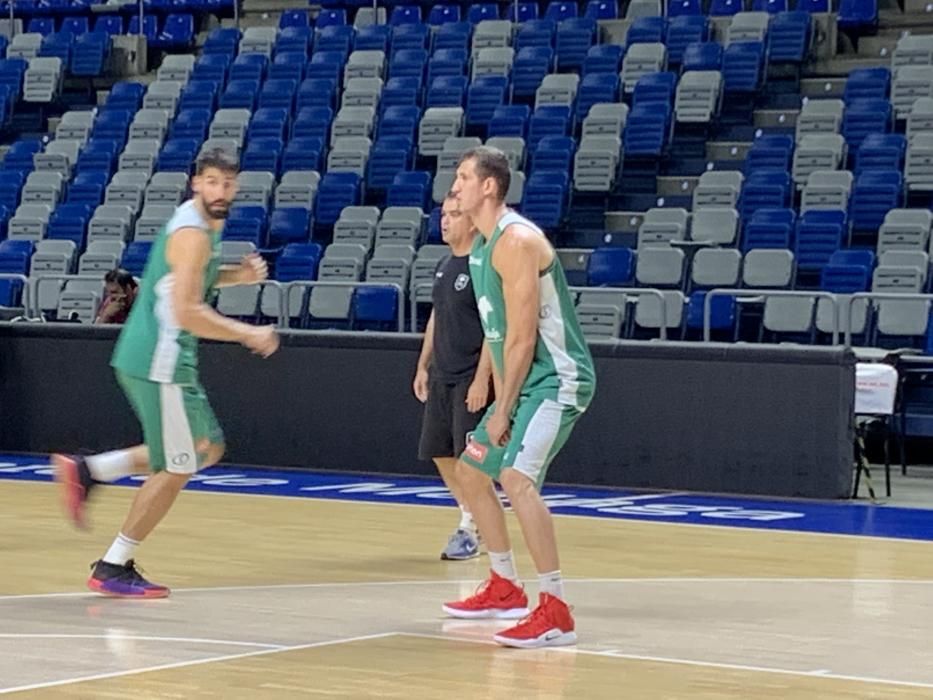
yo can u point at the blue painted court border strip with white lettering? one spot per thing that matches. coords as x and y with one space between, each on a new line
844 518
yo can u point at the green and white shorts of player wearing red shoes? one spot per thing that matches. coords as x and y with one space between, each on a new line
540 429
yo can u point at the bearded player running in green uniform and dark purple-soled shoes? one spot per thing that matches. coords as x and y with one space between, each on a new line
156 363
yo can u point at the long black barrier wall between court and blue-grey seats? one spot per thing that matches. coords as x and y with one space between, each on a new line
747 419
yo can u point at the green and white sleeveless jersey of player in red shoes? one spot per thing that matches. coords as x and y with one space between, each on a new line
562 369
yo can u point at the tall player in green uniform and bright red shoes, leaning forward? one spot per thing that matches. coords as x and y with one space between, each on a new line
544 379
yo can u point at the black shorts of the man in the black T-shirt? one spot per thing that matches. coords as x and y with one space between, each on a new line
446 420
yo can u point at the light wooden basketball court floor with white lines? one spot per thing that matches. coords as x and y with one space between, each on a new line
295 598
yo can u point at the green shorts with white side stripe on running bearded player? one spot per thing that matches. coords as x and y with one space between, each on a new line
178 422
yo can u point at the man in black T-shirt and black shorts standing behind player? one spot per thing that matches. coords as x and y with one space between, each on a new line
454 371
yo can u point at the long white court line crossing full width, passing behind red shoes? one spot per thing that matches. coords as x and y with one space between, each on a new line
471 581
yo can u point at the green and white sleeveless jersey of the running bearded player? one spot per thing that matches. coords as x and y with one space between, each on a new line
152 345
